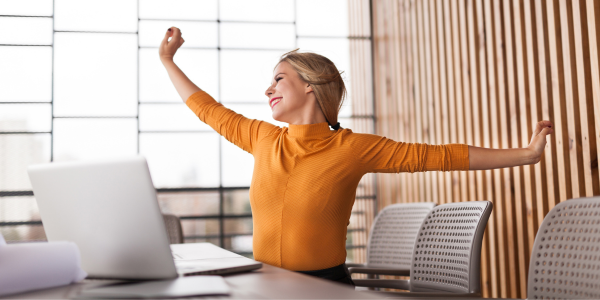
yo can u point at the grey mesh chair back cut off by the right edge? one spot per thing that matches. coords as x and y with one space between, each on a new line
565 262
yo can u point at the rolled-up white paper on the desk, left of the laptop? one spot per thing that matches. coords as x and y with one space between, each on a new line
32 266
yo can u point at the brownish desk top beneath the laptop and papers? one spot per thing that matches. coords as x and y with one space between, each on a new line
266 283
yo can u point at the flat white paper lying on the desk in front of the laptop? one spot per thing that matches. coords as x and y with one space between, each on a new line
180 287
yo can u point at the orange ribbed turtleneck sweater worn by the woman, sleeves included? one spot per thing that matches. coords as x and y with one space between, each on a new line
305 179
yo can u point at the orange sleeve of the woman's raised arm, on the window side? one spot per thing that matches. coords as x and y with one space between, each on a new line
241 131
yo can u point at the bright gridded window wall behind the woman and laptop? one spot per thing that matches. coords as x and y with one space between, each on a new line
83 80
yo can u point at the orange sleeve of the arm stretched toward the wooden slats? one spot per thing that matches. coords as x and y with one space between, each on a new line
383 155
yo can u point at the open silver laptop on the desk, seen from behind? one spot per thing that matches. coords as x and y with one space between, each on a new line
110 210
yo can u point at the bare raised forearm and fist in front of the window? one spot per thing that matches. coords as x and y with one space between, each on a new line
184 86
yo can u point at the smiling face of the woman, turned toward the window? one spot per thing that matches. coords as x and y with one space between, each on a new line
288 94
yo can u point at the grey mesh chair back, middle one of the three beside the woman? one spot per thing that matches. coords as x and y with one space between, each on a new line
447 254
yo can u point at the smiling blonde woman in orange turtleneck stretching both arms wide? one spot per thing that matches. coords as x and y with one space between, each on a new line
305 175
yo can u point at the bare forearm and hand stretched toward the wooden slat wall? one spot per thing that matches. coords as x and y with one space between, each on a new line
486 159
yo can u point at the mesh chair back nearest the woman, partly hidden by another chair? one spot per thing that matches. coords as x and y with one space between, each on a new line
393 234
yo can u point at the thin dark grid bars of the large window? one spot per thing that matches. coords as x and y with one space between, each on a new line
221 189
